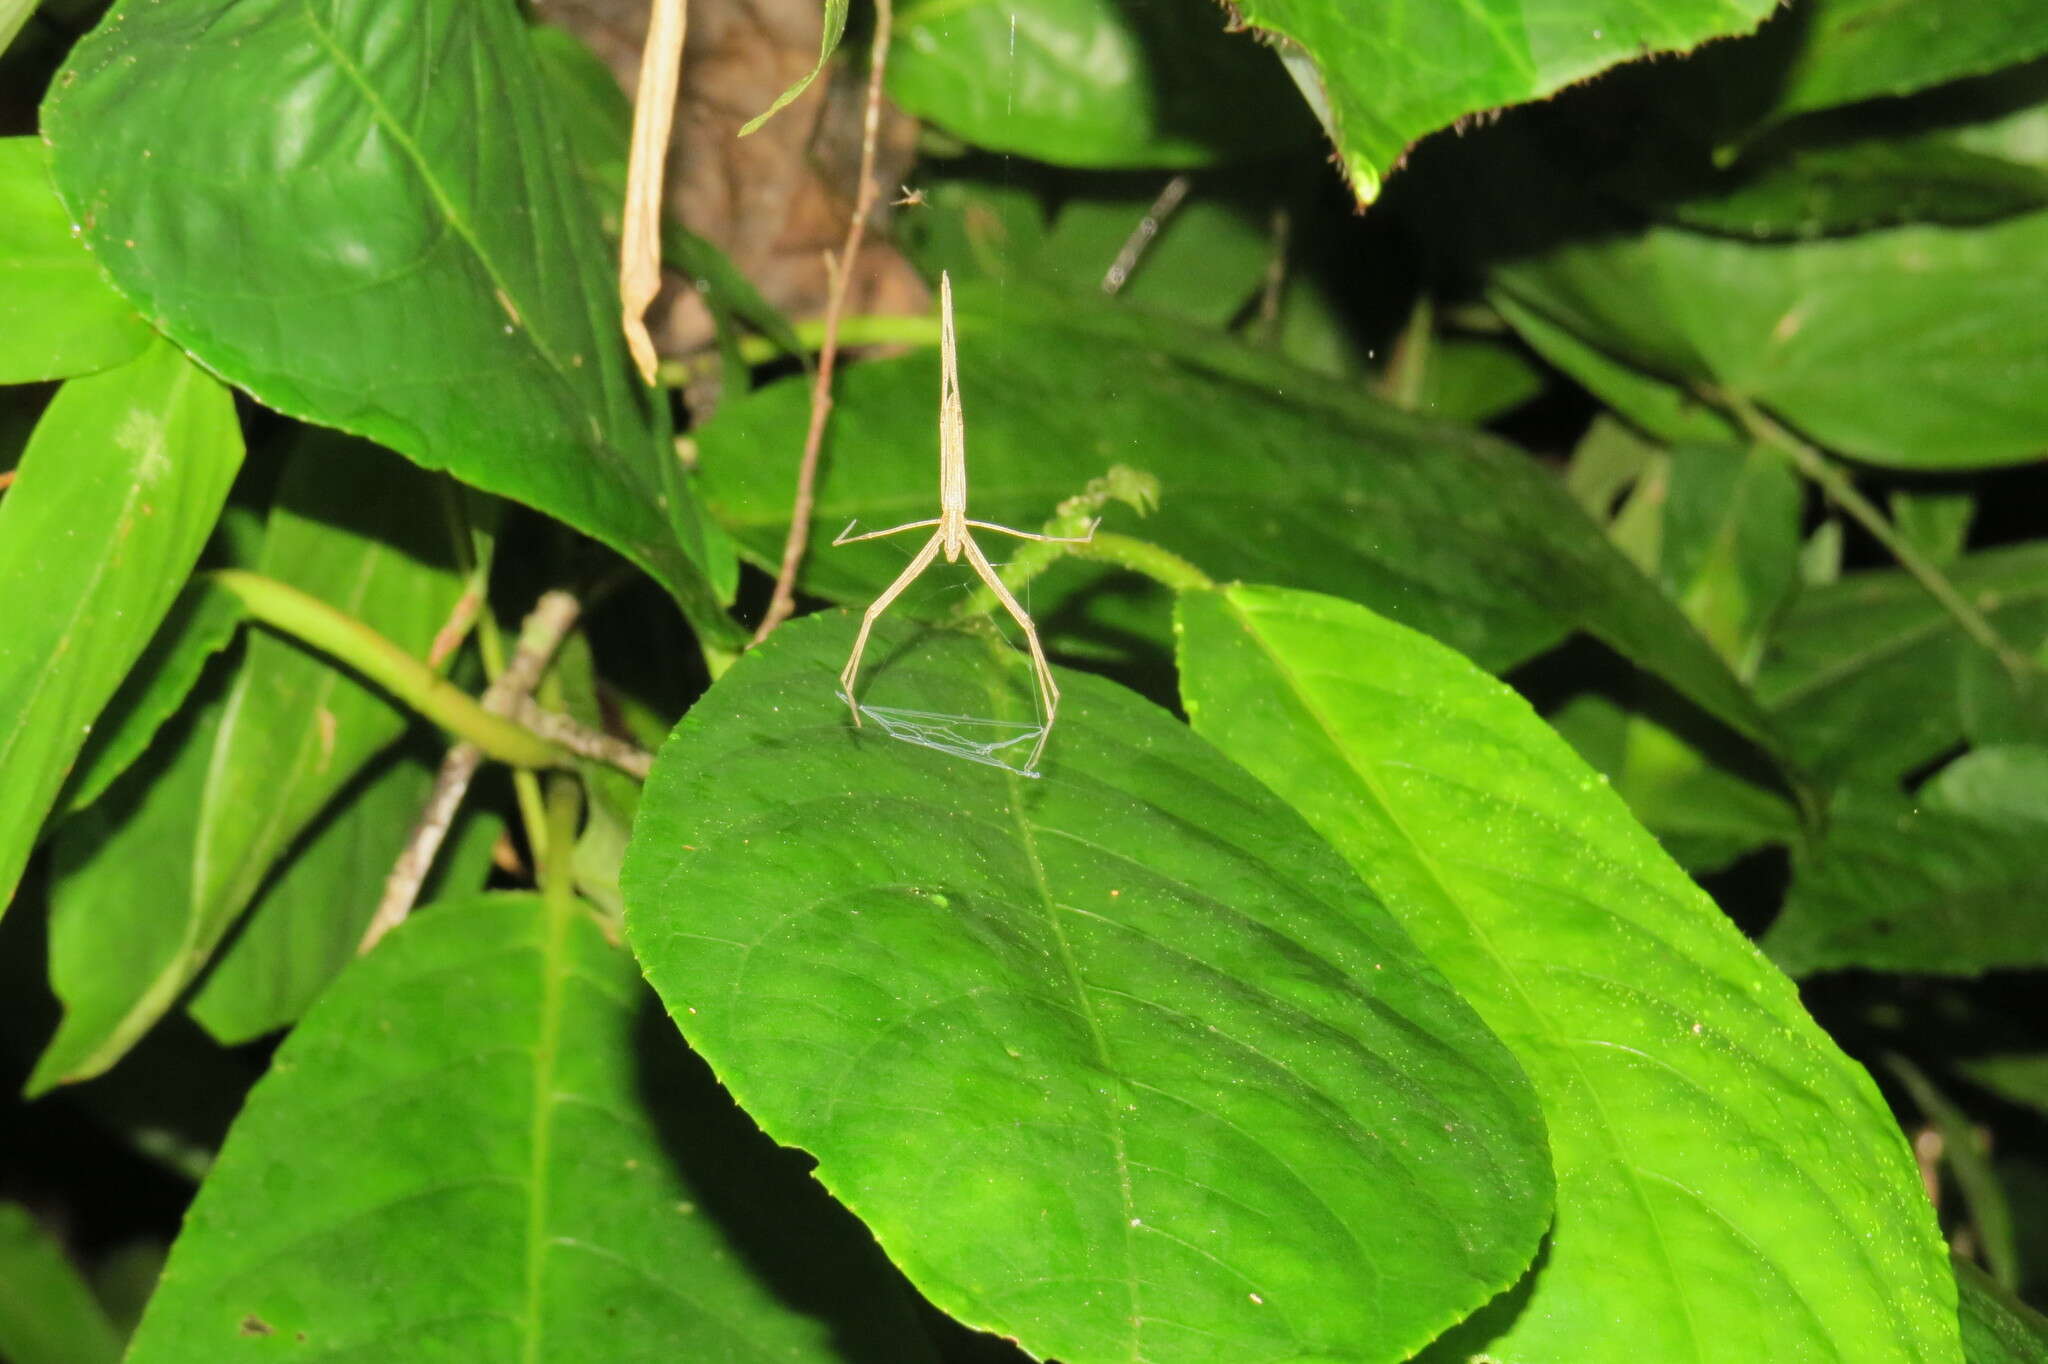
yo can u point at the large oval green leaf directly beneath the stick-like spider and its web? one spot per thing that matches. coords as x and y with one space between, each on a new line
1121 1064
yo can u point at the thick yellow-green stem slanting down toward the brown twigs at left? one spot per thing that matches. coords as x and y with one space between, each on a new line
314 624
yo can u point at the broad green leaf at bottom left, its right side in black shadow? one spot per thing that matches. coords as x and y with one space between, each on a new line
468 1152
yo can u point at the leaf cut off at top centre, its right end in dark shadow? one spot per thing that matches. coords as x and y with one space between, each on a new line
1093 83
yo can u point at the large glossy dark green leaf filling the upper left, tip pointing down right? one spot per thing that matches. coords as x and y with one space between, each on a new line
402 249
